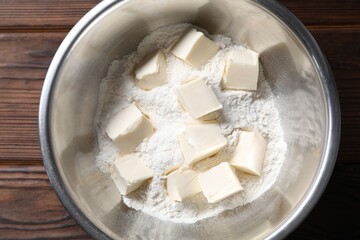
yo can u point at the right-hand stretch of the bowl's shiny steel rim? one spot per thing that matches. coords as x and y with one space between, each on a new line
333 128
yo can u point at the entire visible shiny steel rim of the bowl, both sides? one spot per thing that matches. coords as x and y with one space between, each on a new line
331 143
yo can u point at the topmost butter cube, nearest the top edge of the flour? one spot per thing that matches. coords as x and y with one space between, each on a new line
195 48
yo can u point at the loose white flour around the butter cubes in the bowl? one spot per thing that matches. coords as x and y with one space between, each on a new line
241 110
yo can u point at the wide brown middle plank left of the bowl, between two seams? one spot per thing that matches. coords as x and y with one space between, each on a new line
24 60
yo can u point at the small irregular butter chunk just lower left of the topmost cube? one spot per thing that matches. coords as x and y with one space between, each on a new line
152 72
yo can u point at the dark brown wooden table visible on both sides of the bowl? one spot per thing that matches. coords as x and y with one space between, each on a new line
31 31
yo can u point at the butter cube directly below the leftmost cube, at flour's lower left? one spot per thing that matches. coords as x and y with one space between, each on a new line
129 173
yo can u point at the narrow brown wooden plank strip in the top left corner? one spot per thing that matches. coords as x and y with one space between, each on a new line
42 14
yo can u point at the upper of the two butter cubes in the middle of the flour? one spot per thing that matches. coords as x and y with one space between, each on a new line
199 100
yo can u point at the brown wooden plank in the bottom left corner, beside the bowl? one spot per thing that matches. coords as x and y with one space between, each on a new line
30 209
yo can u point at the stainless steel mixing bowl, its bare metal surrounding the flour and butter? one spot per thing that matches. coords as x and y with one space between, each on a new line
293 63
